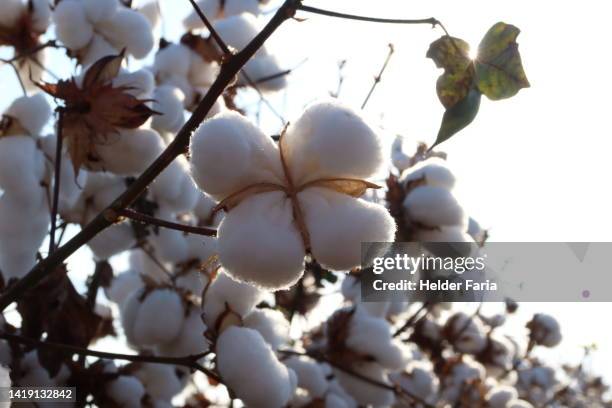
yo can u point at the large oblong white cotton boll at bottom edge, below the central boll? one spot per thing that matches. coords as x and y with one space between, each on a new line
242 352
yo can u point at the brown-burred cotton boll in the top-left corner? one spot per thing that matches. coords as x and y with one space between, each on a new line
22 23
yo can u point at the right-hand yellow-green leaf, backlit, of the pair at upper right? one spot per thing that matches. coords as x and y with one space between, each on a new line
499 69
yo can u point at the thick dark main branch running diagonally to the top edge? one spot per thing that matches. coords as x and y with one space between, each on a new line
180 144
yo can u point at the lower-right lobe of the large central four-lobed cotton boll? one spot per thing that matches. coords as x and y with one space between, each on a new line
338 224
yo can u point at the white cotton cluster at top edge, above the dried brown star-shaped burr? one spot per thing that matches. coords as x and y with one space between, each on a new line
92 29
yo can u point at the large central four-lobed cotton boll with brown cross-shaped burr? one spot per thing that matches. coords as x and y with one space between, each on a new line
300 198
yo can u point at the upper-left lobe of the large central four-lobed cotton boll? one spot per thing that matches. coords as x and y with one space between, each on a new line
228 153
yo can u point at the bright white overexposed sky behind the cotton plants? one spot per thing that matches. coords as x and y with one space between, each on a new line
532 168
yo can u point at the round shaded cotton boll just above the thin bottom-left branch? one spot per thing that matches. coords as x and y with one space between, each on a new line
157 319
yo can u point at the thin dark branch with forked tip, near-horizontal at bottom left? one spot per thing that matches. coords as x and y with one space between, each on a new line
185 361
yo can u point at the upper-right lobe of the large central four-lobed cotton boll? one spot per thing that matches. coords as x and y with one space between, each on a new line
331 140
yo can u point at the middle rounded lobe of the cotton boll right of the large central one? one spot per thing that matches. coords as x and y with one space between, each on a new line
434 206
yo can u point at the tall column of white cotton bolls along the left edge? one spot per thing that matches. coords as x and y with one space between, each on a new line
24 173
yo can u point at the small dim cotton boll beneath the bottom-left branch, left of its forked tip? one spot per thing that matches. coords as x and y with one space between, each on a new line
160 380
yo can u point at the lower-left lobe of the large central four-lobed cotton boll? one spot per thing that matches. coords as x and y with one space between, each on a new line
259 243
